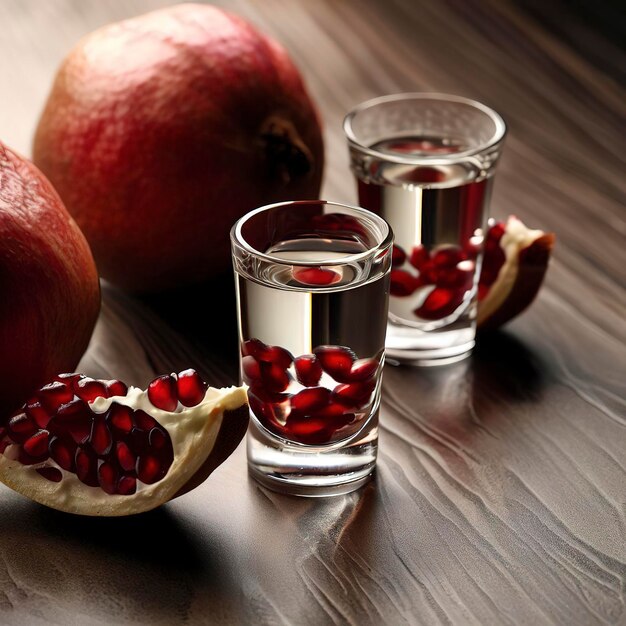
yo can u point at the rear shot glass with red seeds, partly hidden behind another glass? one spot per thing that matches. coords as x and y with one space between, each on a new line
425 163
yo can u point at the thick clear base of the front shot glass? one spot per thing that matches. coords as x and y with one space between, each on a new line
312 471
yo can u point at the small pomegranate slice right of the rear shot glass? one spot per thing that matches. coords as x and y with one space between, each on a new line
515 263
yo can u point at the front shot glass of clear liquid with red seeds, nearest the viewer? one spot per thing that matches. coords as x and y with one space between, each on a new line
312 283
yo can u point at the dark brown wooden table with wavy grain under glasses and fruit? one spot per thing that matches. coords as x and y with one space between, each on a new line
501 486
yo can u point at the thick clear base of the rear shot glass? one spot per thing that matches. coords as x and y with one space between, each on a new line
406 345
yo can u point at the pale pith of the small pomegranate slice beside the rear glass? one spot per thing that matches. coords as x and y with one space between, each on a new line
516 238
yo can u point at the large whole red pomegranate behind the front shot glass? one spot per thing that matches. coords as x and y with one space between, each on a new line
160 131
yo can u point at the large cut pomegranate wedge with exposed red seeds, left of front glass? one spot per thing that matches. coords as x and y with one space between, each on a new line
95 447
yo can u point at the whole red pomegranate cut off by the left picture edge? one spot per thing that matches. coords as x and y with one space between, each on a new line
49 289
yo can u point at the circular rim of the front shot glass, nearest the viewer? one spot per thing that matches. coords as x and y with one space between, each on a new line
237 238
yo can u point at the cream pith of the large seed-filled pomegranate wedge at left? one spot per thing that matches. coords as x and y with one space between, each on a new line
193 432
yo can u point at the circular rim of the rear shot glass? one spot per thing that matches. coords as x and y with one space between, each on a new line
495 139
